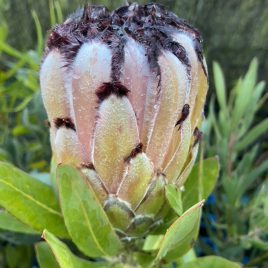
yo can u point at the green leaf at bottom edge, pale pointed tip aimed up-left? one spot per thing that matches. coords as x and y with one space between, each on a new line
64 257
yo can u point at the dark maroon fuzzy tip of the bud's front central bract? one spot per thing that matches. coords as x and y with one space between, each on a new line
107 89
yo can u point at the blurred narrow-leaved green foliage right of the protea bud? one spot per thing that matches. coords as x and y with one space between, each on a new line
239 225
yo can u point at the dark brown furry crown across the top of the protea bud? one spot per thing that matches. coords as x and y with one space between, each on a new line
150 25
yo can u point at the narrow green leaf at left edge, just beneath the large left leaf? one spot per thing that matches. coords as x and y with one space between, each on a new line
10 223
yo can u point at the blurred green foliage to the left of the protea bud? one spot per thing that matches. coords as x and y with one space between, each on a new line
23 131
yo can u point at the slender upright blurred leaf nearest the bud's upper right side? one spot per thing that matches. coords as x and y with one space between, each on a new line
220 87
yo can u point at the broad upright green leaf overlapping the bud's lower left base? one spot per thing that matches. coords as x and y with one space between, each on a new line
85 219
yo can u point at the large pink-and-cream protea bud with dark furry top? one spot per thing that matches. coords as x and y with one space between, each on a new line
124 93
